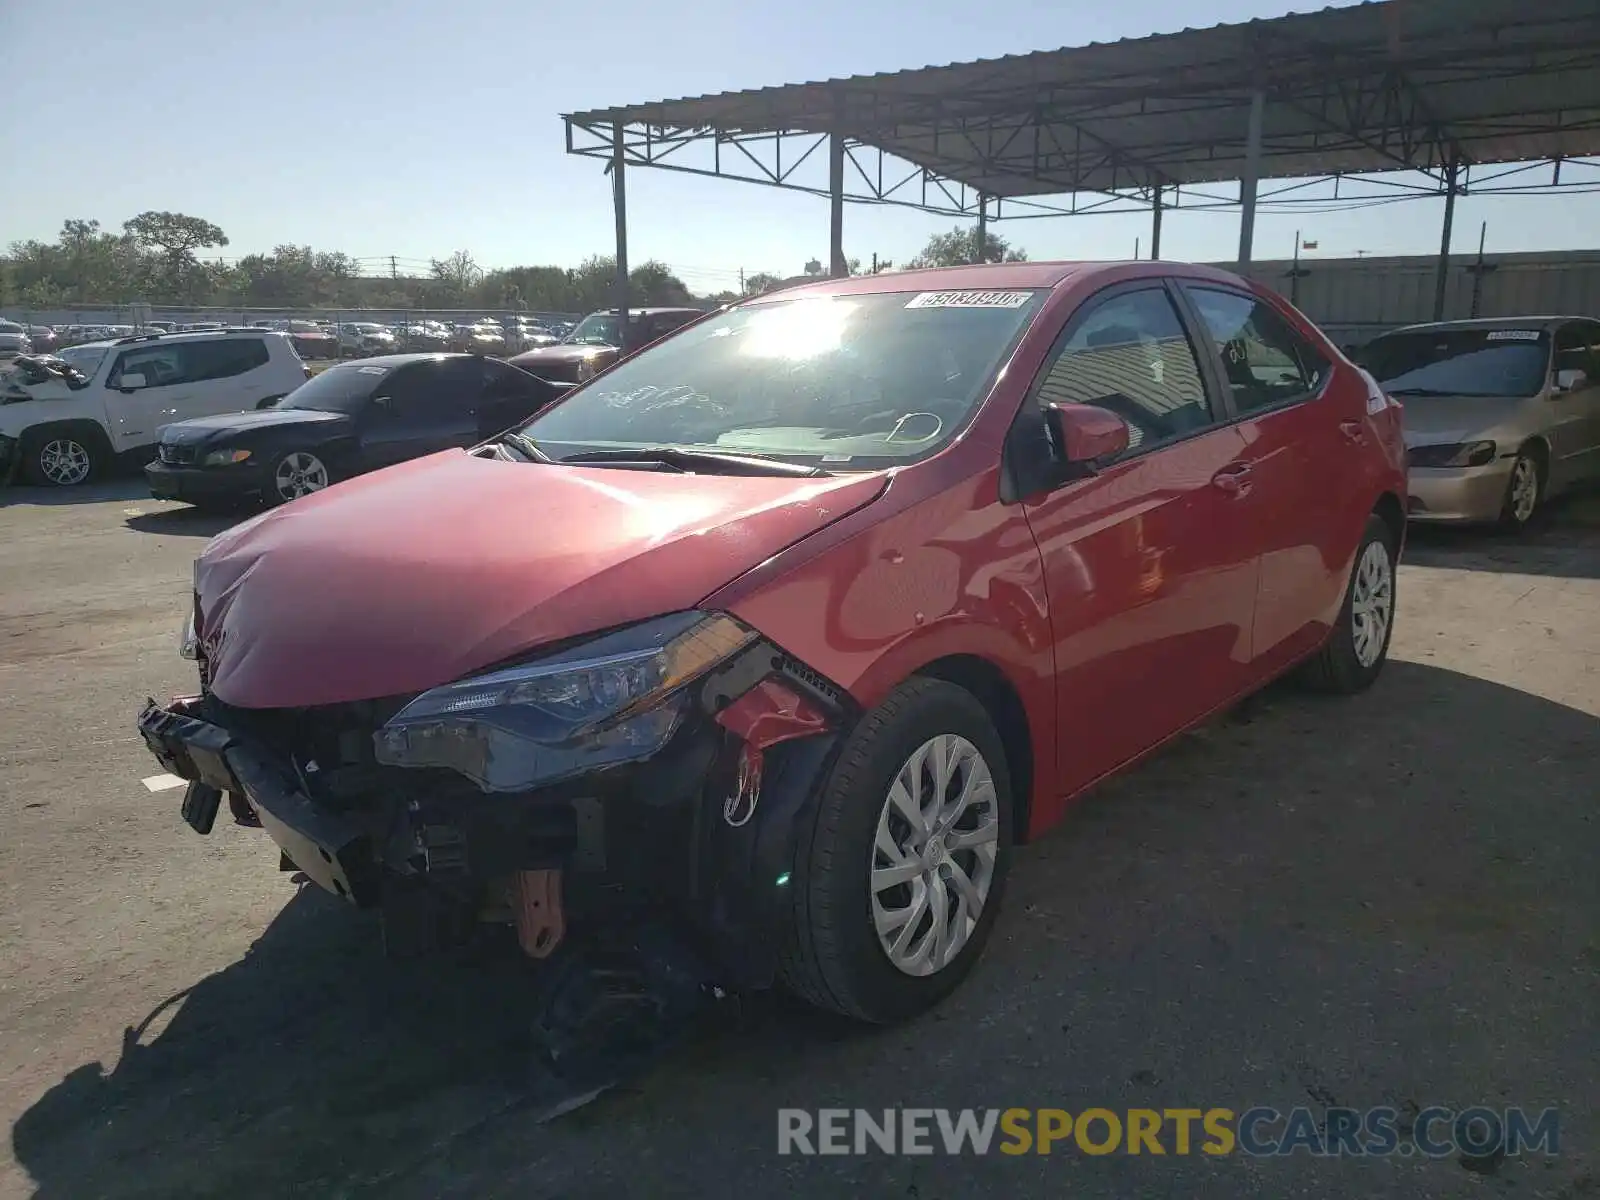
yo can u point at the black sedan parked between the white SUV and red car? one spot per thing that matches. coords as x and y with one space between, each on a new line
351 418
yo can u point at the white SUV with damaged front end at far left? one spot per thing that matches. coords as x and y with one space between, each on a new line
63 430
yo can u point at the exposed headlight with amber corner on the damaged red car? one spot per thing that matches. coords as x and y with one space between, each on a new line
609 702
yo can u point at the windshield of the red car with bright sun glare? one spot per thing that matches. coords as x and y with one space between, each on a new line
852 382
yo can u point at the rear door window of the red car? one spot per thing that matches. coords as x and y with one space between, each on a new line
1265 361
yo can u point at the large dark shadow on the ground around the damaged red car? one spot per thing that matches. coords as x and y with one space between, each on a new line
1244 919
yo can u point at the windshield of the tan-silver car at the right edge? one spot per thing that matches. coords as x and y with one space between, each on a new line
1460 362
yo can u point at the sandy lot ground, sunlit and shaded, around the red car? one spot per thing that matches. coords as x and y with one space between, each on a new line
1385 902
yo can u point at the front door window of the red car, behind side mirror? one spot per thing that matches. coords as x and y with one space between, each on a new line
1130 356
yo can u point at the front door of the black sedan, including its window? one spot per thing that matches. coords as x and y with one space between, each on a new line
423 409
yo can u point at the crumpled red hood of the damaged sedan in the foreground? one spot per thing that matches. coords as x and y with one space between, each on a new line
423 574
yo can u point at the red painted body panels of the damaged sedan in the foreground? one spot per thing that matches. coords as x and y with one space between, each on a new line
1119 609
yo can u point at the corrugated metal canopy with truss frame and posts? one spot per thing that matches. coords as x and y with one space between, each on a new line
1383 100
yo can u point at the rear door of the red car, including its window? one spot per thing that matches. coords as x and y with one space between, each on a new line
1305 446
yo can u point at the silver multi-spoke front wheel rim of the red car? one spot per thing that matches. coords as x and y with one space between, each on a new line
934 857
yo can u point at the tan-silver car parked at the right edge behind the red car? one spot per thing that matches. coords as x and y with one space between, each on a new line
1500 415
